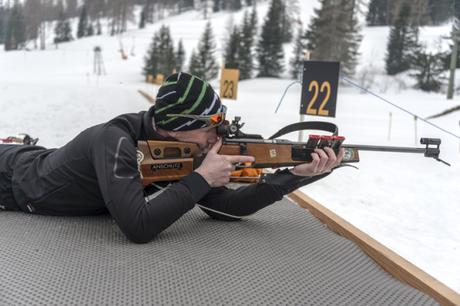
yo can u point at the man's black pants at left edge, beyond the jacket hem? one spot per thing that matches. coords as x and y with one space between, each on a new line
7 153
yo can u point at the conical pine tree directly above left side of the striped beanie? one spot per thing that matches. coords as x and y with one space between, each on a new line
161 58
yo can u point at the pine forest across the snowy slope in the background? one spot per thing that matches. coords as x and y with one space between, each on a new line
255 48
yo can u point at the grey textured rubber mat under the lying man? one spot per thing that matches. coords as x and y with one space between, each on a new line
280 256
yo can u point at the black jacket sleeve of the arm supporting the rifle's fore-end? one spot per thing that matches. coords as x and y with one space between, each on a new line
247 200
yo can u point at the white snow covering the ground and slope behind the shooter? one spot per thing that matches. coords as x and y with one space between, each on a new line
405 201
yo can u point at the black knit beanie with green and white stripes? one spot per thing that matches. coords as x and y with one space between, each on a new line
183 93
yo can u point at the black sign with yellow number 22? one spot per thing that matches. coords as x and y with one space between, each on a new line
319 88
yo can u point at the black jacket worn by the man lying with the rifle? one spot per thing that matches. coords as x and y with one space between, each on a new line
98 171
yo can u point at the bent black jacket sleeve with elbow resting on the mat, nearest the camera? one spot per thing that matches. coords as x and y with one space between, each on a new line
115 162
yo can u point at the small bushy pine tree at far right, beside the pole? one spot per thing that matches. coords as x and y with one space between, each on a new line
429 70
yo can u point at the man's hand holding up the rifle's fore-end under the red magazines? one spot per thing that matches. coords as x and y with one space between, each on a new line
324 160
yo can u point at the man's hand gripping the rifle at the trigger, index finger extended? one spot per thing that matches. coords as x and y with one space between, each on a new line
216 169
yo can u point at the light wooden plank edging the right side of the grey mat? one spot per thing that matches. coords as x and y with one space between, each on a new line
391 262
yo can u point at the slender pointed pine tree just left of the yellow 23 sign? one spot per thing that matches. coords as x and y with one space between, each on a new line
203 63
